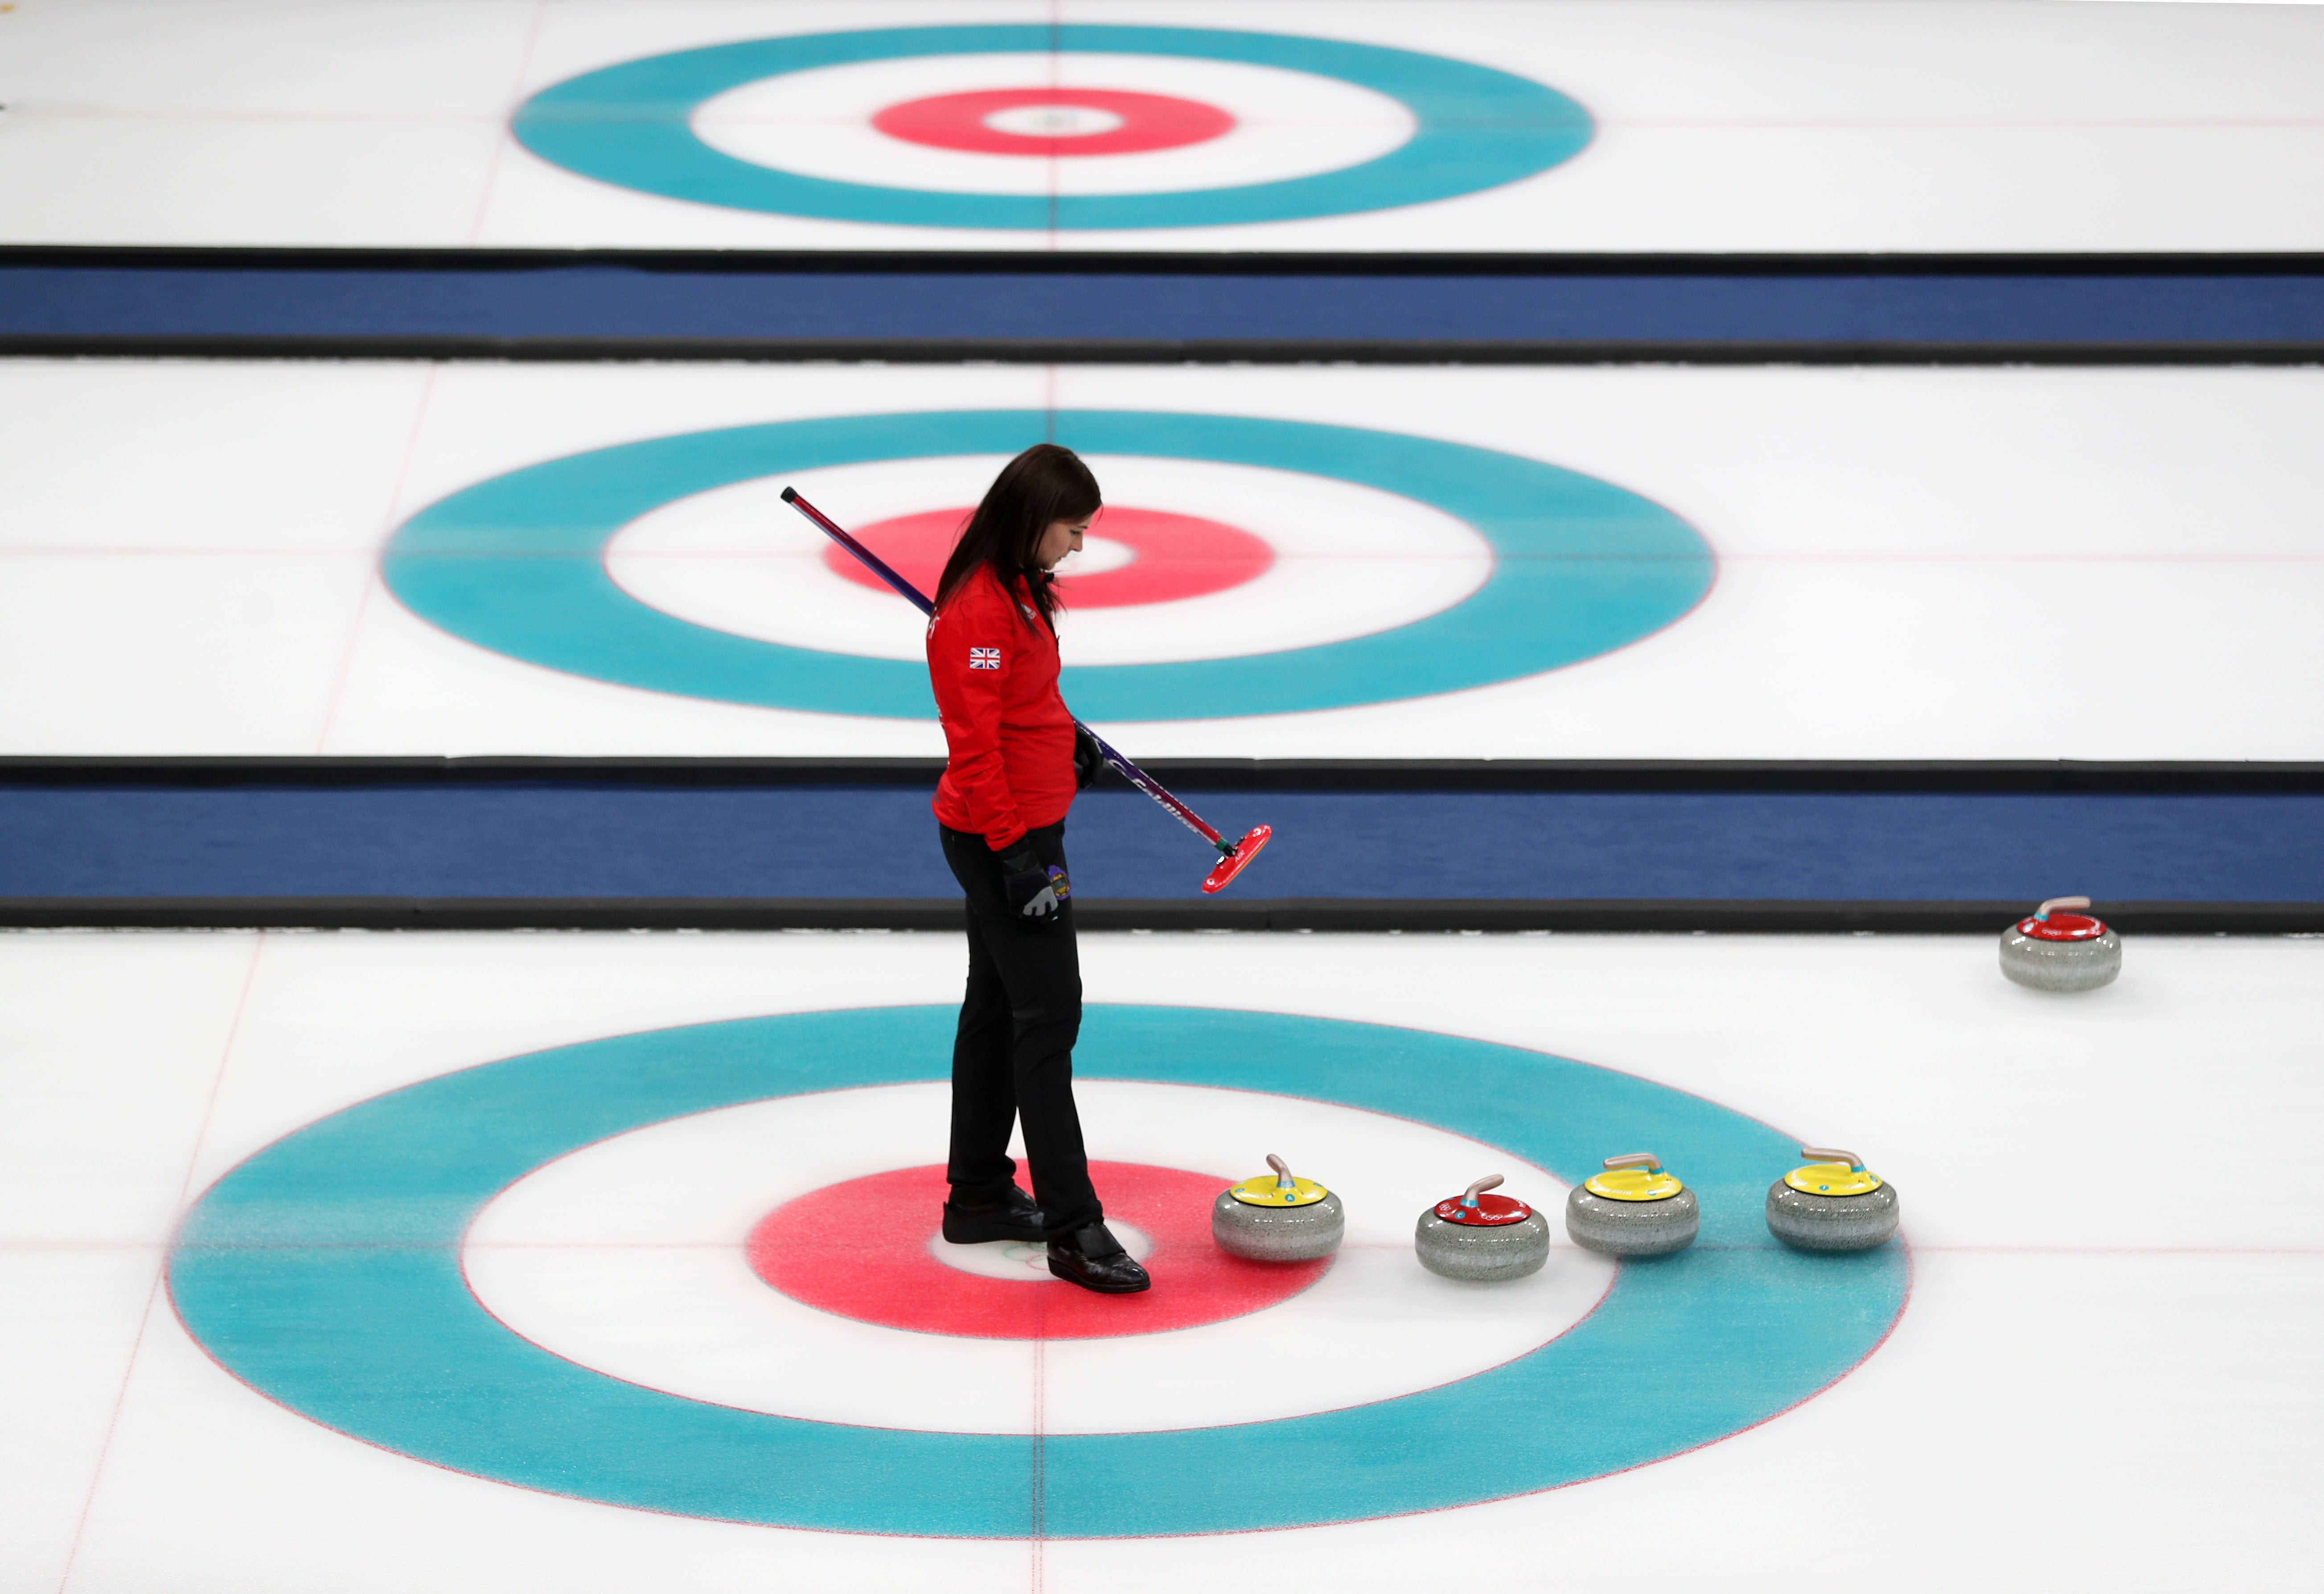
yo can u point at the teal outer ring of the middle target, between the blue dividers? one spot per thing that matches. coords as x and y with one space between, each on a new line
1581 566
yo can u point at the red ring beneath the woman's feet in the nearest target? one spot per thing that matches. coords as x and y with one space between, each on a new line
863 1251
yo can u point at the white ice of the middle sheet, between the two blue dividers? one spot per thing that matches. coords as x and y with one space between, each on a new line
1914 563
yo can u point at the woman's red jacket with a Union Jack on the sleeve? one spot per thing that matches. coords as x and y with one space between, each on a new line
994 663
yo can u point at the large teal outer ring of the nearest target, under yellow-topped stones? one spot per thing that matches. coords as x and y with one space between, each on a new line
327 1275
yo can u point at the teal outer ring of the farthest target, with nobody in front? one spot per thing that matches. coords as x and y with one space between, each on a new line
631 127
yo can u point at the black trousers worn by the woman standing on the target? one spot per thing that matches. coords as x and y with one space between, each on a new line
1014 1051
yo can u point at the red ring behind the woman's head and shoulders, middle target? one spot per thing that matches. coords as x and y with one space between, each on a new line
1177 557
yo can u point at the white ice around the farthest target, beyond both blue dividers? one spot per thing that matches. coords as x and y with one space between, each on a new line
1721 124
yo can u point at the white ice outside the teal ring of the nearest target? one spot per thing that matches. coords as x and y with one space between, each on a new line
2086 1391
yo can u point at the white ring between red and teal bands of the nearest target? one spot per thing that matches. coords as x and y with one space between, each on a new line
629 1258
